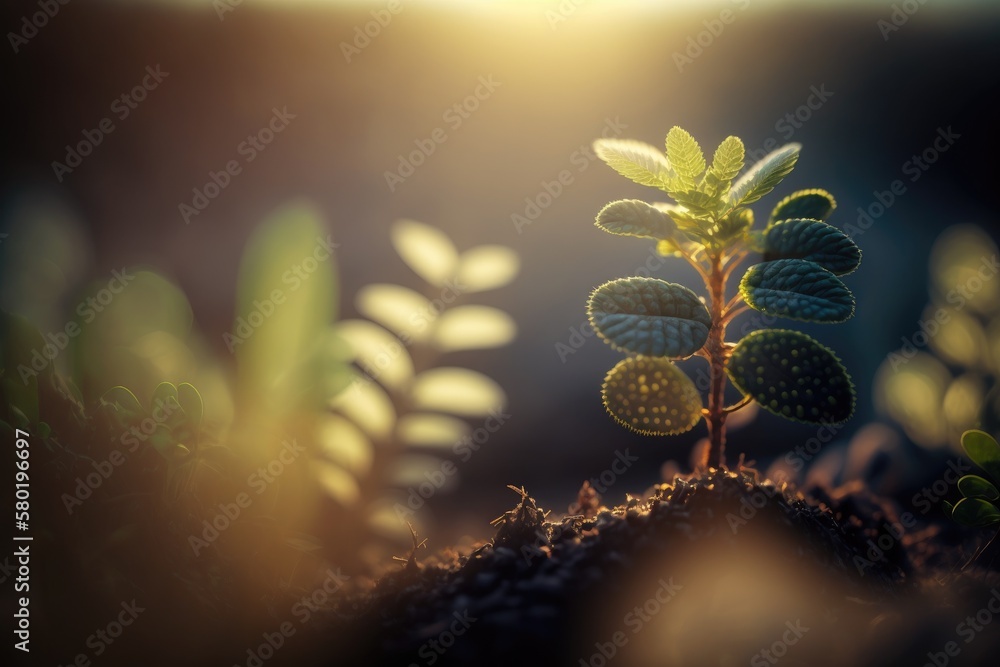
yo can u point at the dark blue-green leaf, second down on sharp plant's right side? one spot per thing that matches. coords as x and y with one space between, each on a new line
813 241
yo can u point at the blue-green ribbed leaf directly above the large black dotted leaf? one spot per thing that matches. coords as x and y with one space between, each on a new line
798 290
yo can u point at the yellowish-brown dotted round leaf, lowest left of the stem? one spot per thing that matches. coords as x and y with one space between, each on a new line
652 396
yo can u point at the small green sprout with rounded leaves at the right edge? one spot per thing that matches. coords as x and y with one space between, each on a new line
980 498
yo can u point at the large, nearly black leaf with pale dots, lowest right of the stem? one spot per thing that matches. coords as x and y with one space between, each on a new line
793 376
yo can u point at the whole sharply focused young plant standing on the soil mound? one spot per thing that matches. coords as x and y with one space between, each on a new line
709 225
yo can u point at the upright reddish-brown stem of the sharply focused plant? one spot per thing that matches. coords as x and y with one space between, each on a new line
717 352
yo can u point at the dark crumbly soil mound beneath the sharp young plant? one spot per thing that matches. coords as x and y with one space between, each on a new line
721 569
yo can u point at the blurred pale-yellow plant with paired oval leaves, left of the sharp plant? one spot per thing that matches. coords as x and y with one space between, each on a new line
403 410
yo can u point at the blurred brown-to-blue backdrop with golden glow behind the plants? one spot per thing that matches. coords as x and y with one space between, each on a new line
564 72
